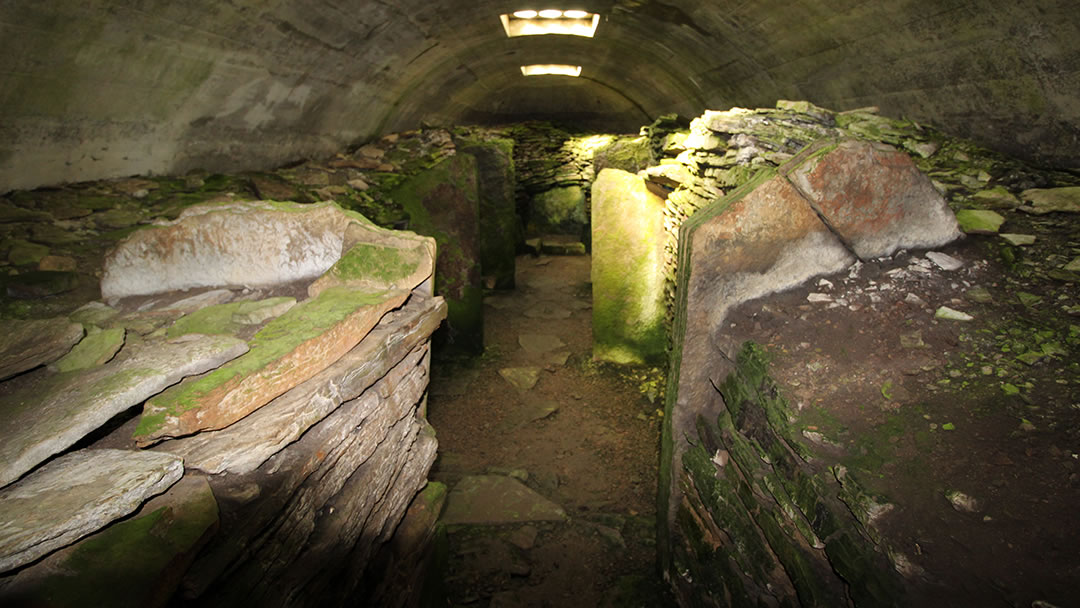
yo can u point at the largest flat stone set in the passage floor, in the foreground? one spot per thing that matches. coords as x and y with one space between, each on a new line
496 499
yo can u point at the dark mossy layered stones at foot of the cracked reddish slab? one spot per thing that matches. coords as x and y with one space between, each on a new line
761 520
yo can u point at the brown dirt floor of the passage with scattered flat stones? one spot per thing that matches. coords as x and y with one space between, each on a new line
552 497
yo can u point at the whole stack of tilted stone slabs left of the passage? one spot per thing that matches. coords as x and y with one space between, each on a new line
240 423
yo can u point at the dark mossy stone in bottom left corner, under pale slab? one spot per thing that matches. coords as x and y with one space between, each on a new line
124 566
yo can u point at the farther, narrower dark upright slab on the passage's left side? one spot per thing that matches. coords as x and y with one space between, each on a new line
501 231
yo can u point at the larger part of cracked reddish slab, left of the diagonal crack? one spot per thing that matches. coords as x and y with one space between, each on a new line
763 238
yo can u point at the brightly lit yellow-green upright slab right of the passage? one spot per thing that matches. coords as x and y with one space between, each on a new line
628 271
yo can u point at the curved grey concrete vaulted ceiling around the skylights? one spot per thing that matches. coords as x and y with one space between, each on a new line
110 88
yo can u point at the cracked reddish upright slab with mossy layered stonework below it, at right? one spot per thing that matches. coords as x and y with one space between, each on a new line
744 515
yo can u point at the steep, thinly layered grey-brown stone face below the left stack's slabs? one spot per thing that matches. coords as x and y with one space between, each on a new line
348 479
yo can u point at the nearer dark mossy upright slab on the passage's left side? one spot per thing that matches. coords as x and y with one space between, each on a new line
443 202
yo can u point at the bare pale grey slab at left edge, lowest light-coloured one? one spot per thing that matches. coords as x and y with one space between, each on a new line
76 495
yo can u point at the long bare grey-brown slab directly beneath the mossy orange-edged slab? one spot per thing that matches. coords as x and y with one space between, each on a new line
245 447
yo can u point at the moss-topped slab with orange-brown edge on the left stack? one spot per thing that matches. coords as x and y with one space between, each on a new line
288 352
